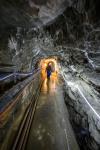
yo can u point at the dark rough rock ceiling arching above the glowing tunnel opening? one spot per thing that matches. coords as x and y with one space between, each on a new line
30 29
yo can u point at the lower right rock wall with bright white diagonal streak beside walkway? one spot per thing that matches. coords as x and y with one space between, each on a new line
83 113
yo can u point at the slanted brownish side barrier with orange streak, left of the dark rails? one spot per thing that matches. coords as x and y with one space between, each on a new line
12 114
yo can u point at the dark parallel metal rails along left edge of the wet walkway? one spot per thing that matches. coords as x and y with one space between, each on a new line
24 129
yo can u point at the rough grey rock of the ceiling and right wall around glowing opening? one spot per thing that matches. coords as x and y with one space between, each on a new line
31 30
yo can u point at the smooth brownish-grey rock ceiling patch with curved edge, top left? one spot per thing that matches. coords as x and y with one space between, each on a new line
30 13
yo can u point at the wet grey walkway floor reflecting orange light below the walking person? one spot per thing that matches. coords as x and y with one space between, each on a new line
51 129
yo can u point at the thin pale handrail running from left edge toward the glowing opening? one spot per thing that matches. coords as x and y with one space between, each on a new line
18 74
